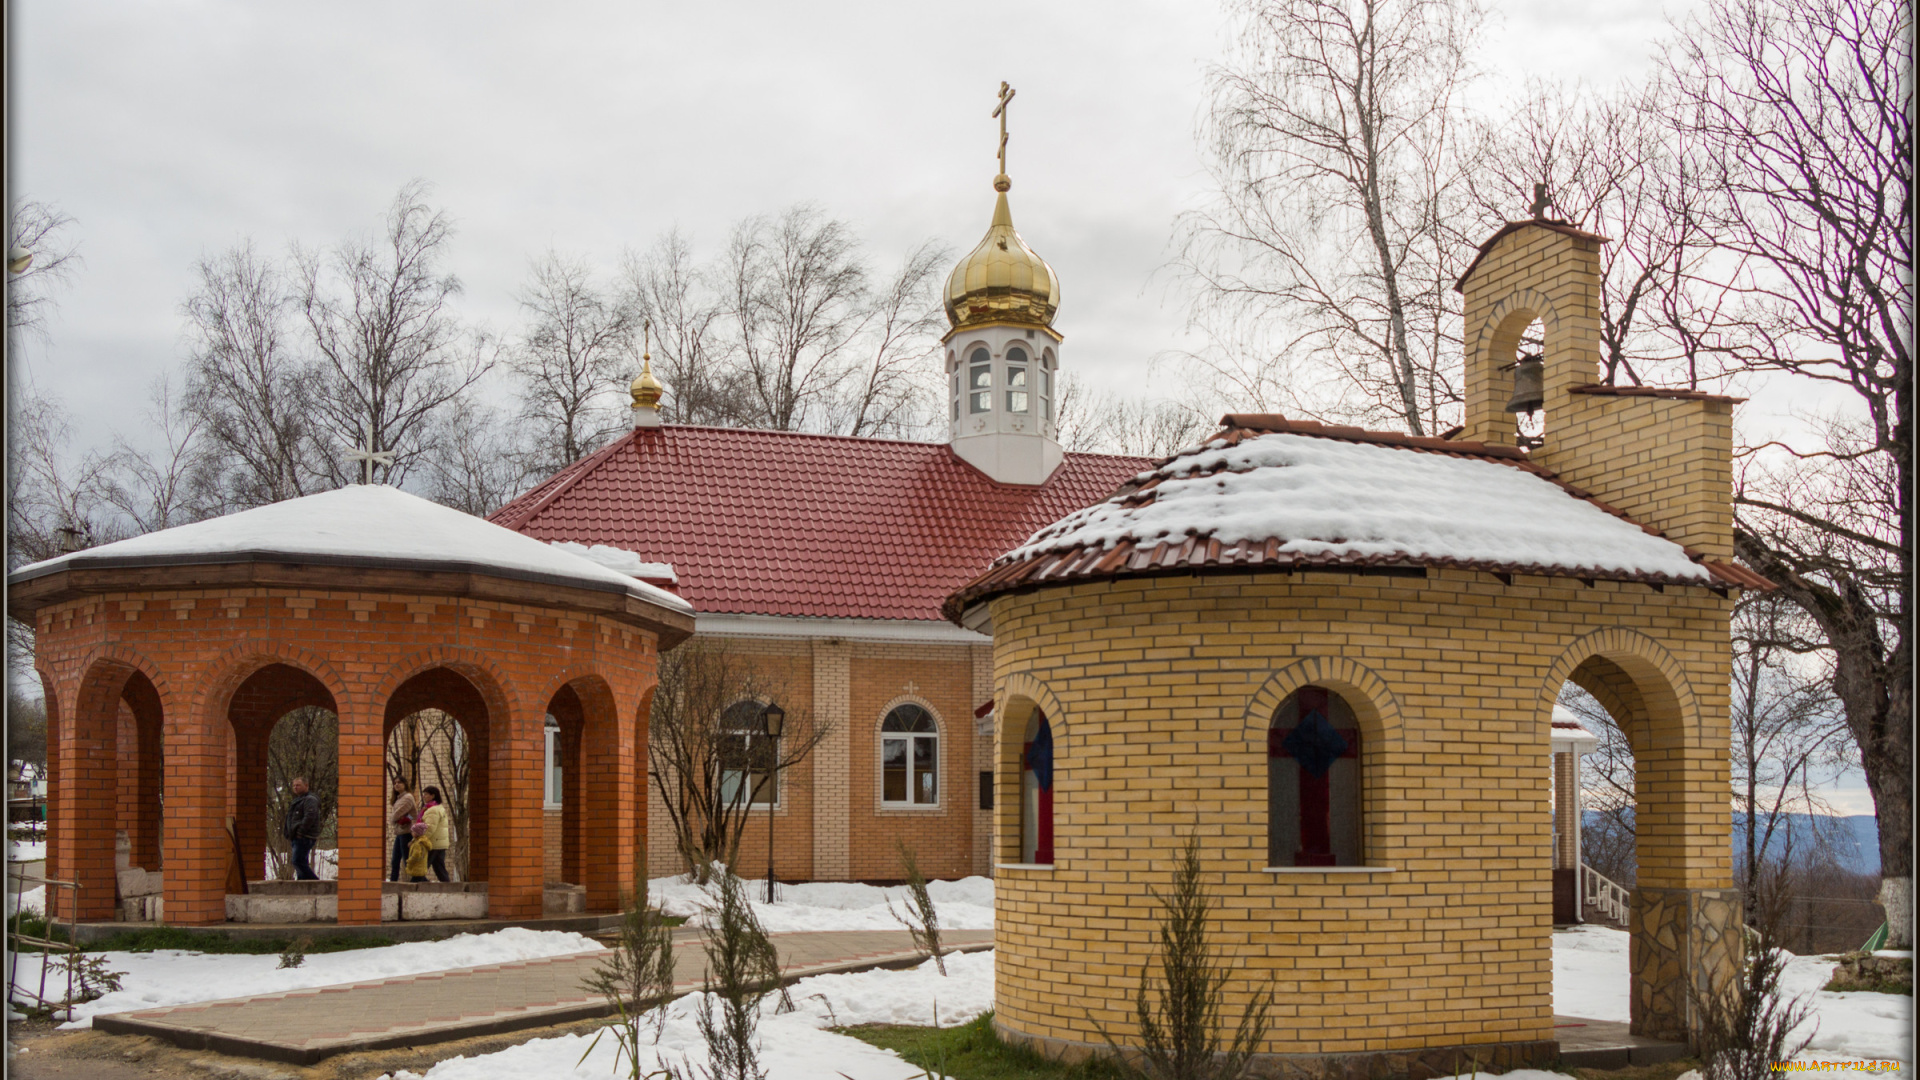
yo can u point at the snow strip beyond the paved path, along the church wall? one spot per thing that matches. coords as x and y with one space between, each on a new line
832 906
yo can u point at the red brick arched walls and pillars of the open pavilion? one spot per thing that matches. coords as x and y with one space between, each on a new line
201 647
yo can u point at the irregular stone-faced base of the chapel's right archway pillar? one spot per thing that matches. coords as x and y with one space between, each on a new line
1687 945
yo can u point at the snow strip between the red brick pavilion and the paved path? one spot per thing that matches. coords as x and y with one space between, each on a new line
174 977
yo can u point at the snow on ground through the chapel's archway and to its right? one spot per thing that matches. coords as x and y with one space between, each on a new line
1591 979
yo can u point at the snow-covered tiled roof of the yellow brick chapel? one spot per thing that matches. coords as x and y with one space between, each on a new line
1274 493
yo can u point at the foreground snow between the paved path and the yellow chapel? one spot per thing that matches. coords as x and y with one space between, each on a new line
792 1048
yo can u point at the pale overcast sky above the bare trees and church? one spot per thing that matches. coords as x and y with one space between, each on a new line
176 130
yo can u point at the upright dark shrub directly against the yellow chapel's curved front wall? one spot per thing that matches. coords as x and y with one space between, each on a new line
1180 1023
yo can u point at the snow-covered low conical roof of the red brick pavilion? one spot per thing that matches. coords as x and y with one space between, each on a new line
368 528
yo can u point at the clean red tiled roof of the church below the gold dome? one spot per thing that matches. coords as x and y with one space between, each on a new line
777 524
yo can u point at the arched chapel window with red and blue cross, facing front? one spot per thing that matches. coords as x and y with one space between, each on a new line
1314 781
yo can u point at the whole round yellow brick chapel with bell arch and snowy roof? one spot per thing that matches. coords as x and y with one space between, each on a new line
1333 656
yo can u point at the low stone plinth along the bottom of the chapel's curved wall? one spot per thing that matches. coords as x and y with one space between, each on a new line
1420 1064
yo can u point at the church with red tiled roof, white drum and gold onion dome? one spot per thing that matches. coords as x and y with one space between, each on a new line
825 562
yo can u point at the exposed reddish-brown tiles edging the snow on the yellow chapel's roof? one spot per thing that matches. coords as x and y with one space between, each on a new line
1201 552
